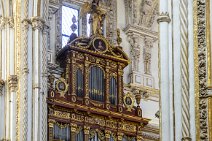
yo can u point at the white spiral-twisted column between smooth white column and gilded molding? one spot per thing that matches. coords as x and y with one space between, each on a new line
184 69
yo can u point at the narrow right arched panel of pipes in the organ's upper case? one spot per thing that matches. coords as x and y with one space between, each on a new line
113 91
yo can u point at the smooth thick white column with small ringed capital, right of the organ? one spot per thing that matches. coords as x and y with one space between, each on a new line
165 105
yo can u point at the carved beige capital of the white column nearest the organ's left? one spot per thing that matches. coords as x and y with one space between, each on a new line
37 23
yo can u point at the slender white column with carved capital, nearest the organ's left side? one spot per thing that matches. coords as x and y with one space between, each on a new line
37 25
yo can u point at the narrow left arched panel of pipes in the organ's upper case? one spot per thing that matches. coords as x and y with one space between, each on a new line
79 83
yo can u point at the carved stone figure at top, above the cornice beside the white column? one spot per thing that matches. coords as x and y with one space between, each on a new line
146 10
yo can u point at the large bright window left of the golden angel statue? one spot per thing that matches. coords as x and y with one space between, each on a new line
67 24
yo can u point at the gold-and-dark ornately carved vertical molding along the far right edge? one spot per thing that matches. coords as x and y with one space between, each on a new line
202 58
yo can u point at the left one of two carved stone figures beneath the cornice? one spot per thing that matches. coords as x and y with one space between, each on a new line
135 51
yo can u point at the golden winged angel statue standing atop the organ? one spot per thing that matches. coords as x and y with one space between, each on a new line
97 16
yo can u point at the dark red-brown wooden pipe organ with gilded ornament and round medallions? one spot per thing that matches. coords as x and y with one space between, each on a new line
87 102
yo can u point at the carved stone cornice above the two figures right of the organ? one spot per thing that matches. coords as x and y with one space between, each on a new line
140 31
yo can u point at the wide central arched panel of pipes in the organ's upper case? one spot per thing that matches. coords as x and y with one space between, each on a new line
96 84
